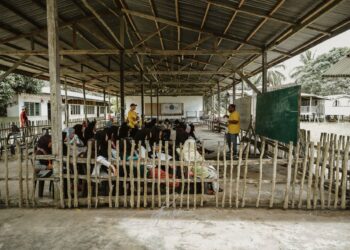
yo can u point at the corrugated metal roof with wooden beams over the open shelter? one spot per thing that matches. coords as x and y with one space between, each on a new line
185 46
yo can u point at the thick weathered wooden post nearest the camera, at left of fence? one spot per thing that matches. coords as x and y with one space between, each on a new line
55 96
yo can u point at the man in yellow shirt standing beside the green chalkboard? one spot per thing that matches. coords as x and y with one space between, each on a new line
233 128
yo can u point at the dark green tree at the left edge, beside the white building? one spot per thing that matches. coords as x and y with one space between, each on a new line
16 84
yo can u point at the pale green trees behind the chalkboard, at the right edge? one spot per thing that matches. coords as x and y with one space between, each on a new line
309 75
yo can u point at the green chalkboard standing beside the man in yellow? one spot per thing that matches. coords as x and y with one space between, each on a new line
277 114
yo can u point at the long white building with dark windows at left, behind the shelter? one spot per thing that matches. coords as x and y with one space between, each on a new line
38 105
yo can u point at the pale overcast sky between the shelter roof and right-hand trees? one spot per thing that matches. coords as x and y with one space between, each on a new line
341 40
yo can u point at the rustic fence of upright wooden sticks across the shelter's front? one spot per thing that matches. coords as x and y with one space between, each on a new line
315 176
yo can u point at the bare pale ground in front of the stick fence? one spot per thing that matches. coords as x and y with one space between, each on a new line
174 229
